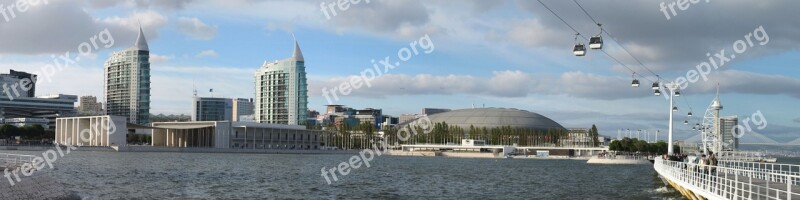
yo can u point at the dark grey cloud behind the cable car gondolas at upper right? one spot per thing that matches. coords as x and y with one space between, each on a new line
678 43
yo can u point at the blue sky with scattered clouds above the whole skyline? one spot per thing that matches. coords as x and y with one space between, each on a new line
460 54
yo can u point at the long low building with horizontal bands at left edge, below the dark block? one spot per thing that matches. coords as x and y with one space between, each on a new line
43 107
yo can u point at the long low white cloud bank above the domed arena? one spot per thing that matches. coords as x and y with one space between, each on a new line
574 84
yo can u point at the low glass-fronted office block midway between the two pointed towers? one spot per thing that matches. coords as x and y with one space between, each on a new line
211 109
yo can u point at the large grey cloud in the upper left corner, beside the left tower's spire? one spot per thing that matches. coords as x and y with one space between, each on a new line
61 26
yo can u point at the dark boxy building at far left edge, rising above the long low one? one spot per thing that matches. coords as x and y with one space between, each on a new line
18 84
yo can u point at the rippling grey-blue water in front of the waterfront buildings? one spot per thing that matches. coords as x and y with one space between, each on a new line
111 175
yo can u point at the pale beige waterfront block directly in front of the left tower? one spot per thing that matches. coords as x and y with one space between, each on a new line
92 131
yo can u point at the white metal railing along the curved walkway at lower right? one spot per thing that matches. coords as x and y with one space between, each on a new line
723 182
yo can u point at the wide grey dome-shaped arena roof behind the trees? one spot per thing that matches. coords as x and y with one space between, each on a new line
495 117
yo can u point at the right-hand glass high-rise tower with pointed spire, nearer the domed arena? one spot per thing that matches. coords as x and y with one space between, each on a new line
282 91
